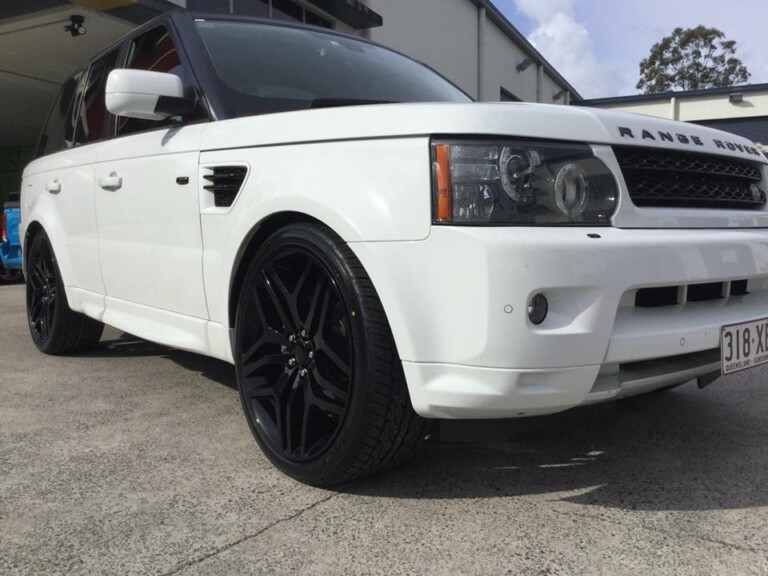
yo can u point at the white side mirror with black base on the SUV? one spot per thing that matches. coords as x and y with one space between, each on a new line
146 95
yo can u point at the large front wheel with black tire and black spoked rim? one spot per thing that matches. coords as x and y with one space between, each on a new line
320 380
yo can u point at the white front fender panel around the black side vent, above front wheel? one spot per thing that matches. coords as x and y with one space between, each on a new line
364 190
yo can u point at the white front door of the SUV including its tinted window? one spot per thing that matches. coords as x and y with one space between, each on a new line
147 208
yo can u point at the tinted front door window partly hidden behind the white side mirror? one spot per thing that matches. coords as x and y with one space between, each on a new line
156 52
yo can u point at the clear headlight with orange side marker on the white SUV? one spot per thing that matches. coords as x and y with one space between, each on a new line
521 182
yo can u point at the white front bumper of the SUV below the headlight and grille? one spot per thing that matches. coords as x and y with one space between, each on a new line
457 302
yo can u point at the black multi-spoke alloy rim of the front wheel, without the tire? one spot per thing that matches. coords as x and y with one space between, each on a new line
296 361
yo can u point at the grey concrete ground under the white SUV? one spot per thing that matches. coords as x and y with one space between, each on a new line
136 459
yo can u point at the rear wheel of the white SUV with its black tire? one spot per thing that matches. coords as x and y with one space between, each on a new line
54 327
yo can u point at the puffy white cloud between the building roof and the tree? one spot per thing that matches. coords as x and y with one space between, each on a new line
566 43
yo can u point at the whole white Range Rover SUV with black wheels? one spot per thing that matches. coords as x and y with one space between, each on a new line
371 249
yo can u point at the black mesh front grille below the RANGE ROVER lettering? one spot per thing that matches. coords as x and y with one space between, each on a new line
664 178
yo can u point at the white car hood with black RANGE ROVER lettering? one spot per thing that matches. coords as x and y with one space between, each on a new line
570 123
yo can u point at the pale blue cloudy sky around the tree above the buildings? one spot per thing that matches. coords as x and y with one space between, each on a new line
597 45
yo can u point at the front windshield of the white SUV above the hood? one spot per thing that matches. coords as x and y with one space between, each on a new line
272 68
